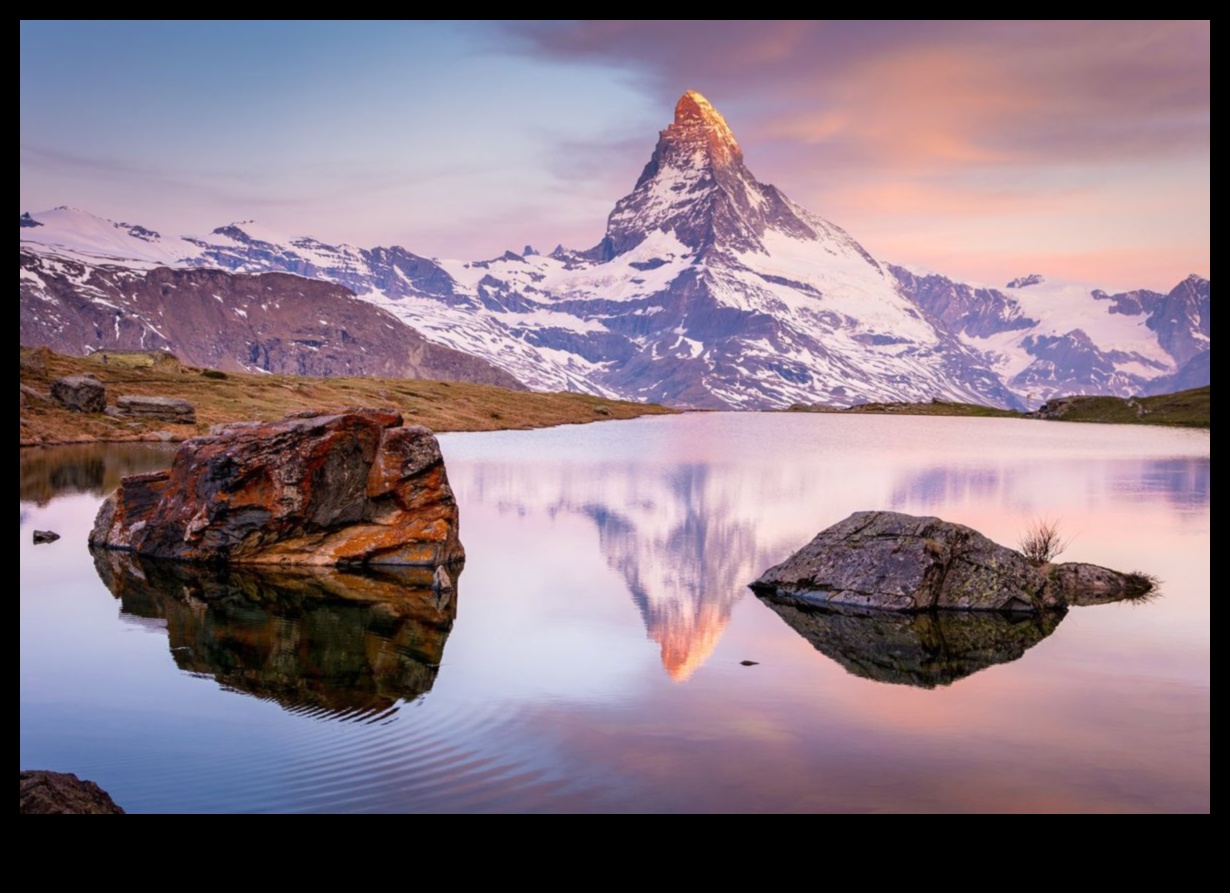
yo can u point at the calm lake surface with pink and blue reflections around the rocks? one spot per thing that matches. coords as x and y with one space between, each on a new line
591 660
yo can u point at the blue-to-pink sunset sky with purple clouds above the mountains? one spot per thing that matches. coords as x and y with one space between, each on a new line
981 151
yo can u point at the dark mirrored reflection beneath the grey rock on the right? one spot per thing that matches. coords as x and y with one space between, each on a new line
924 650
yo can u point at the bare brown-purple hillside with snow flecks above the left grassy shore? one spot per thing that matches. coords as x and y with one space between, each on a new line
238 323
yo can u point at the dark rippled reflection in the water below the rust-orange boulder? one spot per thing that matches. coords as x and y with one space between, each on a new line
318 641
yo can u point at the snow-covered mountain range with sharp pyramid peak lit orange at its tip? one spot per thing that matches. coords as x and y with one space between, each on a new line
712 290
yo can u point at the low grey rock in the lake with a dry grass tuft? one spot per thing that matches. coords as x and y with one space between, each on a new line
900 563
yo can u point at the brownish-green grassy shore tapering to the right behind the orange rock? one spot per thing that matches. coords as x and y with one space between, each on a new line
222 398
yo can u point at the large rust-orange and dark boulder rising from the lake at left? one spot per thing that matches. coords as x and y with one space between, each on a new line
314 489
